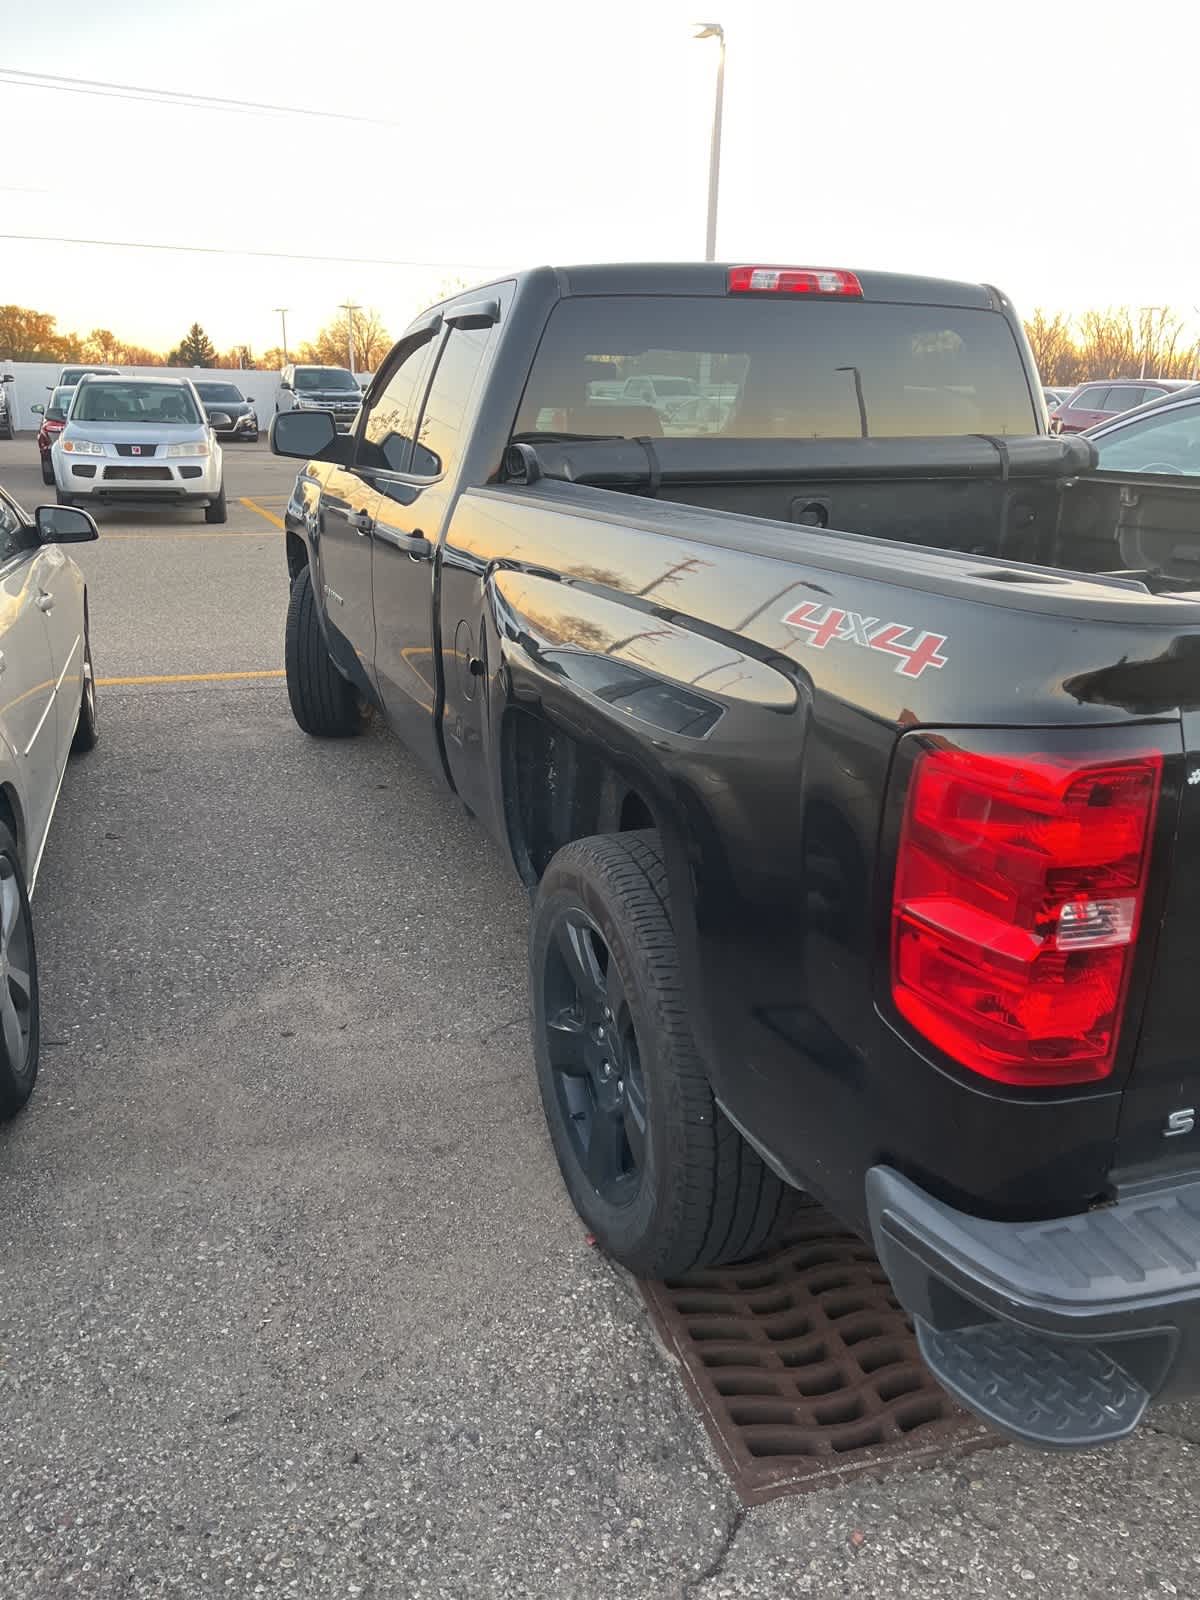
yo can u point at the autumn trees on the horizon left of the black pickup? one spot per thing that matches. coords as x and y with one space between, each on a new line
33 337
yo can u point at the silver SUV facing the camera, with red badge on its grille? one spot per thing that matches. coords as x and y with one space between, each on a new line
142 441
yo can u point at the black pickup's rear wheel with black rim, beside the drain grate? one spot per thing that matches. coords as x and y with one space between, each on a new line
690 1191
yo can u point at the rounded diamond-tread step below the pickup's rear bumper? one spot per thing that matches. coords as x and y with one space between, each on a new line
1047 1393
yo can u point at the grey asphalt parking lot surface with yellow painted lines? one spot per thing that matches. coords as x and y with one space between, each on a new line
290 1297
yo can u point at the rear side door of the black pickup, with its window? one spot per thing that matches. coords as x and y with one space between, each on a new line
409 521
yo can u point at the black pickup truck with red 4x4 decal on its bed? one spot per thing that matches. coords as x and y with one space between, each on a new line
846 729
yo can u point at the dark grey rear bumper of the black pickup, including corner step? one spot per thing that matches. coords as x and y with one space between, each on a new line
1057 1332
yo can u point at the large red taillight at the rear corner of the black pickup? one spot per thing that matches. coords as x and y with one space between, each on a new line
1020 886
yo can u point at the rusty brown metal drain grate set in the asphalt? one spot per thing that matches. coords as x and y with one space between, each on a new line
804 1366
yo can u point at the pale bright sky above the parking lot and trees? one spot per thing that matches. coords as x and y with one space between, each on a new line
1038 146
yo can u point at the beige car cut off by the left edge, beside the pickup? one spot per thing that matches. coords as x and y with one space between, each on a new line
49 710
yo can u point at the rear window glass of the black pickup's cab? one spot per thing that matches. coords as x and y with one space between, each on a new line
775 369
